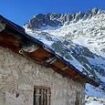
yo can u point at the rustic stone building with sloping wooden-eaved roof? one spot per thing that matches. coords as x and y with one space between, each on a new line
37 76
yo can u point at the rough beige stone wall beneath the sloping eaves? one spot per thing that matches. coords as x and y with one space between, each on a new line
19 75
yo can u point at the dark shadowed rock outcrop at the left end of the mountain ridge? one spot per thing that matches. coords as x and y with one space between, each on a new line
42 20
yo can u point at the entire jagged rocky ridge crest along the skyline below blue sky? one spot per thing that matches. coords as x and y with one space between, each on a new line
55 20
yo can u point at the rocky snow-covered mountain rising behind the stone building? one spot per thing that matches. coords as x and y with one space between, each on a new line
79 38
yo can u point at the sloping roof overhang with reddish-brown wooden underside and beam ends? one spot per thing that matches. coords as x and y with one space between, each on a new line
23 44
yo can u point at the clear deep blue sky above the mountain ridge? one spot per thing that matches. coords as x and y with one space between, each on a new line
20 11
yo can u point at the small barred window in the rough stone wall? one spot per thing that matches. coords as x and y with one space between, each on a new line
42 96
